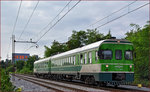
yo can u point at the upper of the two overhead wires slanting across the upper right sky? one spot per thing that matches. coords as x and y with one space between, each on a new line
112 14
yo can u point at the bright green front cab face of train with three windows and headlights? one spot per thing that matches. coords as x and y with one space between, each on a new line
116 63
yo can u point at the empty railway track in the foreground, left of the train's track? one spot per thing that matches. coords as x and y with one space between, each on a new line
55 85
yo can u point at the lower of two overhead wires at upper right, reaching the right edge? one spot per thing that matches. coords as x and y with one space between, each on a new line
122 15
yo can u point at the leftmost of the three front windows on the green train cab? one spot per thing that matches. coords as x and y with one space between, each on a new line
105 54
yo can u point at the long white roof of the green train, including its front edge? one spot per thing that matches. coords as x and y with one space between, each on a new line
85 48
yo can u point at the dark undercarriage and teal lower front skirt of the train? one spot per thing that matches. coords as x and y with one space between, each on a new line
116 79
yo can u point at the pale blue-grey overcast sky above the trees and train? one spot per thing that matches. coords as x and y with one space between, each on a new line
84 14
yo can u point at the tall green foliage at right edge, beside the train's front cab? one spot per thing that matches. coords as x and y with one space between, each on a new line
140 39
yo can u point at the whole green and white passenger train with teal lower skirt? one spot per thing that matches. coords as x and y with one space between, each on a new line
107 61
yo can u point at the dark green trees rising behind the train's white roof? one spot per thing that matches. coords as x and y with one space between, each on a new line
76 40
